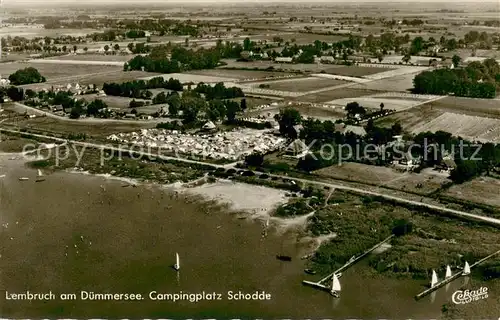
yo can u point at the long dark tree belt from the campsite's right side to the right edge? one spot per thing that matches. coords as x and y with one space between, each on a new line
470 160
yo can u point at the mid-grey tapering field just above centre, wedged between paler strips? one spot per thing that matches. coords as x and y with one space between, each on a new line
302 85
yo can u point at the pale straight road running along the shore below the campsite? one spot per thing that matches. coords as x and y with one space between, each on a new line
314 182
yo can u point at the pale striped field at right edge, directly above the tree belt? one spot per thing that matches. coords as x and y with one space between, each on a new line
469 127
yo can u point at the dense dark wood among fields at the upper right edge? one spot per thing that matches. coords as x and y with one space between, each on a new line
477 80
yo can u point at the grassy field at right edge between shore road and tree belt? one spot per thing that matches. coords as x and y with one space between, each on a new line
481 190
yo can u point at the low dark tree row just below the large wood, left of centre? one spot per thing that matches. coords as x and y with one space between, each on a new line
137 88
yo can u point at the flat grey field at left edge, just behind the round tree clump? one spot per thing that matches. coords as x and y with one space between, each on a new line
53 72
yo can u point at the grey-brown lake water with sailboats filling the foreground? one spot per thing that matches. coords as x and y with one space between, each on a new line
130 237
